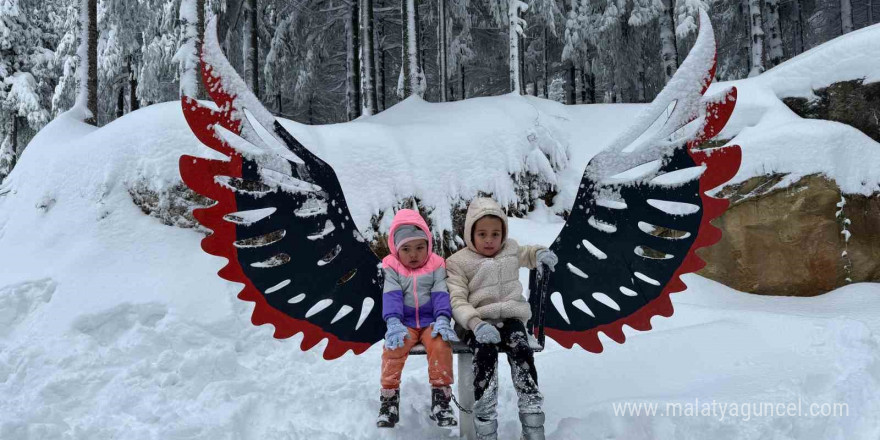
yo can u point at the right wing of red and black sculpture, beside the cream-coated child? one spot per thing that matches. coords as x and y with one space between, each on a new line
641 211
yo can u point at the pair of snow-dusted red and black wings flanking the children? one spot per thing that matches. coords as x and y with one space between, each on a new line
640 213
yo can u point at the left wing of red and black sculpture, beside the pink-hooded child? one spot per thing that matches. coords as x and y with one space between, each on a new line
281 220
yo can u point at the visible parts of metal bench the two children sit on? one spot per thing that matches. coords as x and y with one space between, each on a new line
465 356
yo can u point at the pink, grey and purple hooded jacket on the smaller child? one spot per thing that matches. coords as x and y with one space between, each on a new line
415 296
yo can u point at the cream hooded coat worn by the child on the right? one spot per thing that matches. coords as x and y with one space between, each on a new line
488 288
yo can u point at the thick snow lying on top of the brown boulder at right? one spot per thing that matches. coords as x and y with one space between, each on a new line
775 140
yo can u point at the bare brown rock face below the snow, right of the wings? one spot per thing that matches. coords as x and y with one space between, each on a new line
791 241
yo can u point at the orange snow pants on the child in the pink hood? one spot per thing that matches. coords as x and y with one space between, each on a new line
439 359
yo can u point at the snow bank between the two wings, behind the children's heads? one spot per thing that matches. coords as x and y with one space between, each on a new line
440 153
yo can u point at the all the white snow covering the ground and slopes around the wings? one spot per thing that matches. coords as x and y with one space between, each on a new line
113 325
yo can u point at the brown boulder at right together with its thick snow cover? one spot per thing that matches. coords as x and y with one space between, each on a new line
786 232
